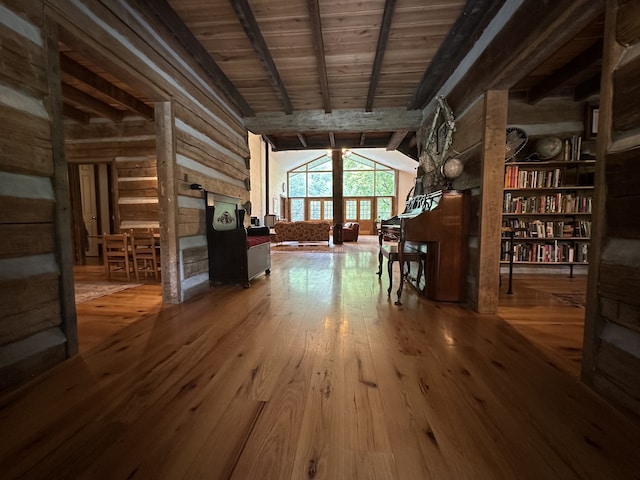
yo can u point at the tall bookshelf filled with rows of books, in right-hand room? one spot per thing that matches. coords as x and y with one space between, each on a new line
547 211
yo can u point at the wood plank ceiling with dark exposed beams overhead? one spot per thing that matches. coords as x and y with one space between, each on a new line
311 74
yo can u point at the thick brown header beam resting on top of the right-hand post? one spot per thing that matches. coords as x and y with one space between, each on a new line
534 32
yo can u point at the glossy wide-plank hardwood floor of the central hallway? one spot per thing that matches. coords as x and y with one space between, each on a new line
314 373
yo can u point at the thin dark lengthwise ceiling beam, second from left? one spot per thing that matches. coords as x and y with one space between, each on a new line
252 30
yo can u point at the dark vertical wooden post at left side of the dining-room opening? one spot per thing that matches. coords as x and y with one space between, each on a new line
64 241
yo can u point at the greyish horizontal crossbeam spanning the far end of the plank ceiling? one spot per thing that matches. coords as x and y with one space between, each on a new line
383 120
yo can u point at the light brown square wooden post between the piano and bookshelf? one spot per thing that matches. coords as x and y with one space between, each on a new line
496 105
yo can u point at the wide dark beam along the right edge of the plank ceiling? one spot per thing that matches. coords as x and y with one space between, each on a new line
463 35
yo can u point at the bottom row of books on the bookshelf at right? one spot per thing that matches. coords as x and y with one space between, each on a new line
552 252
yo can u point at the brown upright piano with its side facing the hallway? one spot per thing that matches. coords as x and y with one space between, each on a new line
437 225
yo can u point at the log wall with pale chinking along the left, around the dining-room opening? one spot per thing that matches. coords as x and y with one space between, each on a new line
196 138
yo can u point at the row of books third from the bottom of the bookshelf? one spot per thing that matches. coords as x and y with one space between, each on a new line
555 203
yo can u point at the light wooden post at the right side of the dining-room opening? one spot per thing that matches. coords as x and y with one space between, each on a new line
167 195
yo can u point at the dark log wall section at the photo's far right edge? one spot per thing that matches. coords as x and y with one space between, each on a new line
611 358
